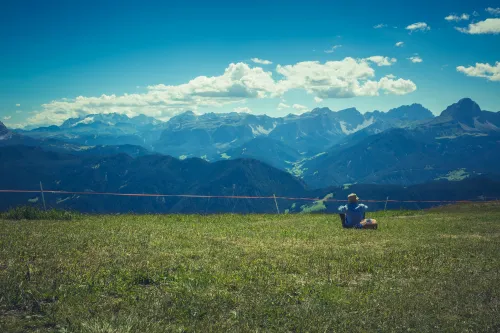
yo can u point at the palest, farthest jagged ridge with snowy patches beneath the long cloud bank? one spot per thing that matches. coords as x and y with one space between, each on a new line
212 135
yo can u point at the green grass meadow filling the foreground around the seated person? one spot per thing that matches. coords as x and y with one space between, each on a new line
436 271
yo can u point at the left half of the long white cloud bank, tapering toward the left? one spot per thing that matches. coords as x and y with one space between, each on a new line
238 83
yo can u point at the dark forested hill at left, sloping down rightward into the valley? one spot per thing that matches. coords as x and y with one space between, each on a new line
24 167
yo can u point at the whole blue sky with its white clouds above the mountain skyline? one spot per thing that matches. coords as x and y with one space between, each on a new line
62 59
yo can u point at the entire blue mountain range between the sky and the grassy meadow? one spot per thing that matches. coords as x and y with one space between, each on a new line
244 154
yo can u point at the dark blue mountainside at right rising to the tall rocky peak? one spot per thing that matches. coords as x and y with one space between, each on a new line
463 139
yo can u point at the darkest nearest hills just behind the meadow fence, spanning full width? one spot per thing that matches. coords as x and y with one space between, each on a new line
24 167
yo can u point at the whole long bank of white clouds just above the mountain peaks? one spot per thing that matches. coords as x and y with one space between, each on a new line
333 79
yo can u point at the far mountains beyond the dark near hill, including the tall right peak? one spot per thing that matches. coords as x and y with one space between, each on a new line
406 145
